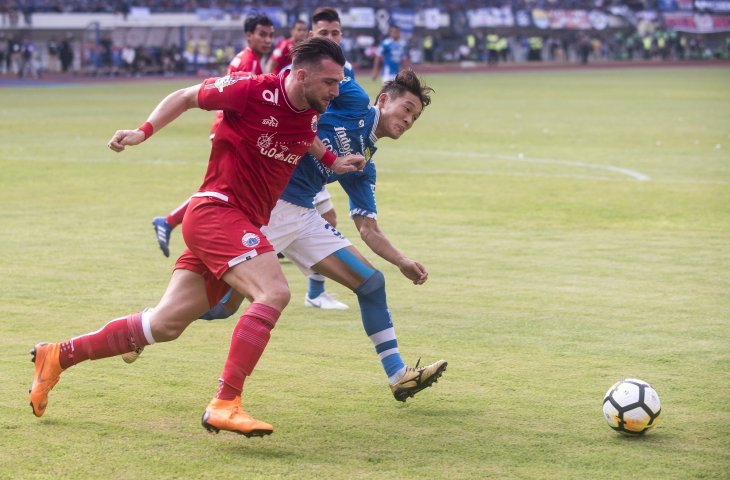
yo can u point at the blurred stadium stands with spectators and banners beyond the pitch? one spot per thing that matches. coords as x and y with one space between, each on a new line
169 37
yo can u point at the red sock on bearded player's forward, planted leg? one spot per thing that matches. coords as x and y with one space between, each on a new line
250 337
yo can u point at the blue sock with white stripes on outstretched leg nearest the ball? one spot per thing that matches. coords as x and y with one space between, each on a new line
379 325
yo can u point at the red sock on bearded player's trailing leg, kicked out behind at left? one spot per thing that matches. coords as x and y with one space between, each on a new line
119 336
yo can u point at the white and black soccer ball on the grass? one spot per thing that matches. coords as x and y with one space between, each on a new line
631 406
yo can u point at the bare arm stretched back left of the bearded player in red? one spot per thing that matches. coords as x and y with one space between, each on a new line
166 111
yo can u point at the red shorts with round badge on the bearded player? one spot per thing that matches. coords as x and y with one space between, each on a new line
218 236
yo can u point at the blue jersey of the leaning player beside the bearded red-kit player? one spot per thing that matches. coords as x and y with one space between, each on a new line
347 127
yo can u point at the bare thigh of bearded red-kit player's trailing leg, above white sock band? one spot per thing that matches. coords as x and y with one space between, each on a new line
183 302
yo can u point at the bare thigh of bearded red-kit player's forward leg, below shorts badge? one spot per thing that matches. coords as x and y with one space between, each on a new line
260 279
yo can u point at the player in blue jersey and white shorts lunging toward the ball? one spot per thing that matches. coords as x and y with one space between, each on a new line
312 244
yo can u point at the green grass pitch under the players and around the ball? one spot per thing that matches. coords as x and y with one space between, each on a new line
576 226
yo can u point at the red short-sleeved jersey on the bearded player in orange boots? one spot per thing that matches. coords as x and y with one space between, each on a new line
259 143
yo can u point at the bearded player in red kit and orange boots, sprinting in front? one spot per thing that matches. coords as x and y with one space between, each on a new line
251 161
